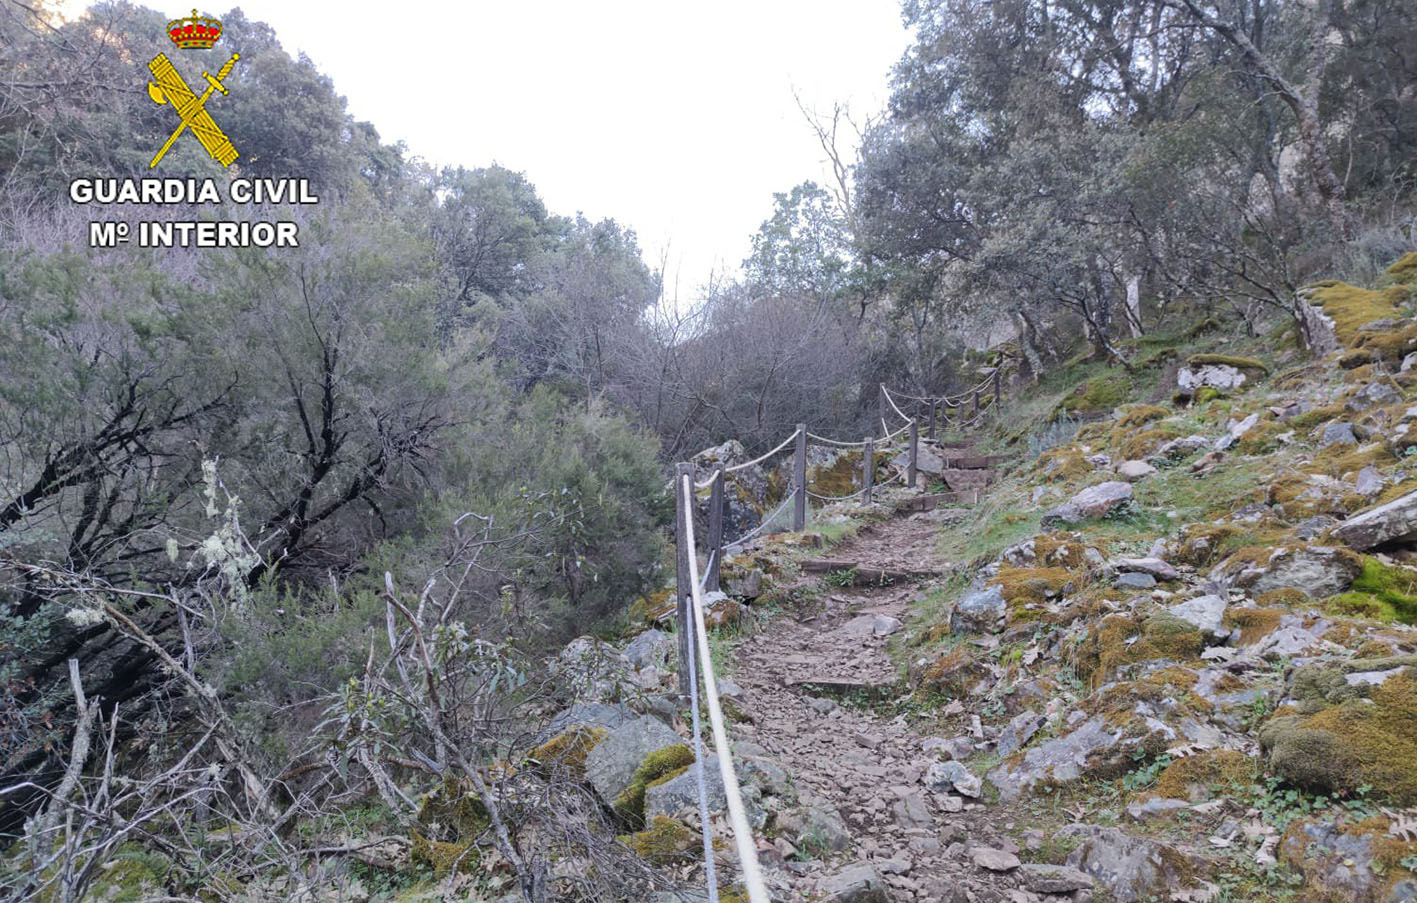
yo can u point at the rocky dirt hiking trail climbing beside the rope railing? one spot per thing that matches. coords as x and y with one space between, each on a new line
893 820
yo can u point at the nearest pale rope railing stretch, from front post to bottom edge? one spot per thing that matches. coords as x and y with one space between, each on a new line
704 668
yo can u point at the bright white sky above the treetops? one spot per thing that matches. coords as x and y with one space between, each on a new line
674 118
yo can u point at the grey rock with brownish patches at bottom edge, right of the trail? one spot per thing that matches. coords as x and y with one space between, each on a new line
1130 868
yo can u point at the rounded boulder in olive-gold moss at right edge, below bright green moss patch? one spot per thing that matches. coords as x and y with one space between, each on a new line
1360 742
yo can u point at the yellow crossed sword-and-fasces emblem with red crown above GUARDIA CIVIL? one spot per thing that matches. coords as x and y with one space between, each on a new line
169 87
